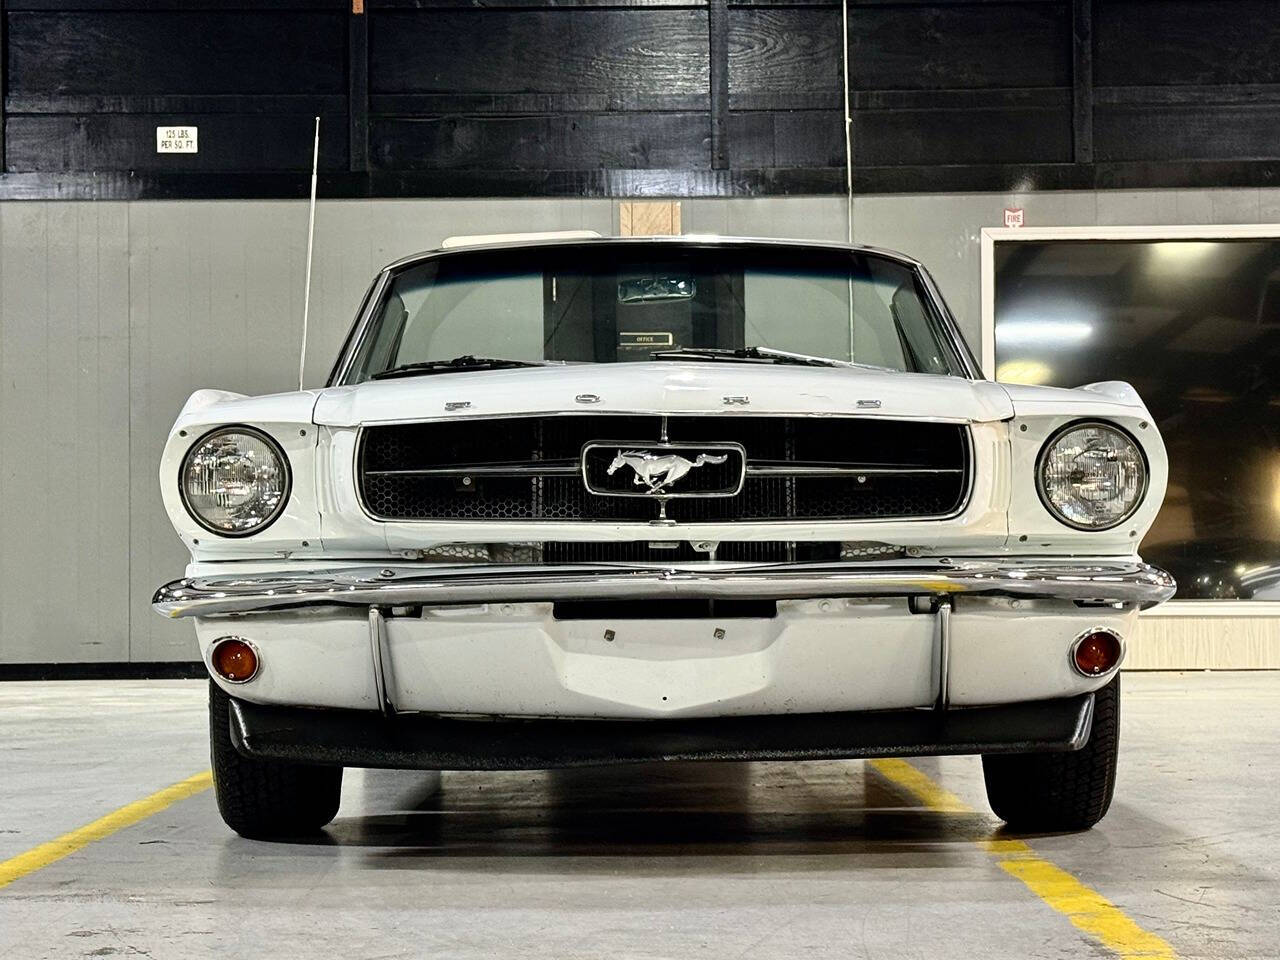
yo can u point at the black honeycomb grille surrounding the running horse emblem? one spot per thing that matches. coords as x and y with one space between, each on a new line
529 469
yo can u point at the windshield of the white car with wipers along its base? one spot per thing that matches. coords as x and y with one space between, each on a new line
616 303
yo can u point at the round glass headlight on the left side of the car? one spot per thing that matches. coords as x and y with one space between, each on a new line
235 481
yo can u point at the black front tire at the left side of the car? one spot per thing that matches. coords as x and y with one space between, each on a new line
267 799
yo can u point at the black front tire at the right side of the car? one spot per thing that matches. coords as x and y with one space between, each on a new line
1060 792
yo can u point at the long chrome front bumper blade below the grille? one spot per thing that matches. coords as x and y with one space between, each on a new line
1104 582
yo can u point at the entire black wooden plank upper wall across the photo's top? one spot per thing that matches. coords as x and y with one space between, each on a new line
636 98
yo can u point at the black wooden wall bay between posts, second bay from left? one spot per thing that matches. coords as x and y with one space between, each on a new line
529 90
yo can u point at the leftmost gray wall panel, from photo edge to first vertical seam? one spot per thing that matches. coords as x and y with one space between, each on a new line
65 437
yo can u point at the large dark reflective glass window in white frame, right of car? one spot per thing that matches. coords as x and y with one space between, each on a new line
1195 326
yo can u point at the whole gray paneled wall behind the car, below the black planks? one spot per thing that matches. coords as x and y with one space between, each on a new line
112 314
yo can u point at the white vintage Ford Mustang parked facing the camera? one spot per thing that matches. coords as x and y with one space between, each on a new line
602 501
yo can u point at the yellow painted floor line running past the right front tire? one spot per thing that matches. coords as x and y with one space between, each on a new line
1084 907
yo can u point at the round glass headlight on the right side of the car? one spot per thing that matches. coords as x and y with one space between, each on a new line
1092 476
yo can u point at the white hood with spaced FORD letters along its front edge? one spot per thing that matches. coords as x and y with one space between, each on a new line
666 387
